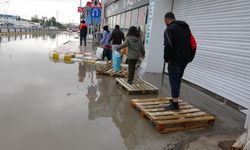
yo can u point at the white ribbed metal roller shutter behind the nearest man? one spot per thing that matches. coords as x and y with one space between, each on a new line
222 30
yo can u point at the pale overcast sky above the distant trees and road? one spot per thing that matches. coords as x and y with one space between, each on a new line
67 9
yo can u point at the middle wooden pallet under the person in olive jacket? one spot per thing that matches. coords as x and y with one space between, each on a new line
139 86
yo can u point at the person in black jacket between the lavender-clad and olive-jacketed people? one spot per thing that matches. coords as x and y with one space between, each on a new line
117 36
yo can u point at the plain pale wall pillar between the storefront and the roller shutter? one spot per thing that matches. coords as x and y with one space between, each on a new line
154 50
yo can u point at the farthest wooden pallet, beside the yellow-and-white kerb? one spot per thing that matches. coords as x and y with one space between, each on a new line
109 71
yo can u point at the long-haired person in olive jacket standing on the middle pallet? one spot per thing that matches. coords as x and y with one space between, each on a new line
135 51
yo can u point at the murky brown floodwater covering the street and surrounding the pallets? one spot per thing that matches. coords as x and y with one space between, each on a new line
55 106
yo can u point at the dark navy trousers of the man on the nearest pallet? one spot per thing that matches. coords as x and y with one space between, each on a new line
175 73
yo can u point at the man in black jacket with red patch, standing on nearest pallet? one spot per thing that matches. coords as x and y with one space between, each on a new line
179 50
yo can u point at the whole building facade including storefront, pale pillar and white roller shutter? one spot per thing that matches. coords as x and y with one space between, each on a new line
222 31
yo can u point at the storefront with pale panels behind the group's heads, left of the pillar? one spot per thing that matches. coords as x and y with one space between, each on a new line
126 13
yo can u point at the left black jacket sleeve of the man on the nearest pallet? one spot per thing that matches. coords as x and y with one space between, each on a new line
168 44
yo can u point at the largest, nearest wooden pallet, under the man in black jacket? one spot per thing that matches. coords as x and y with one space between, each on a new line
187 118
